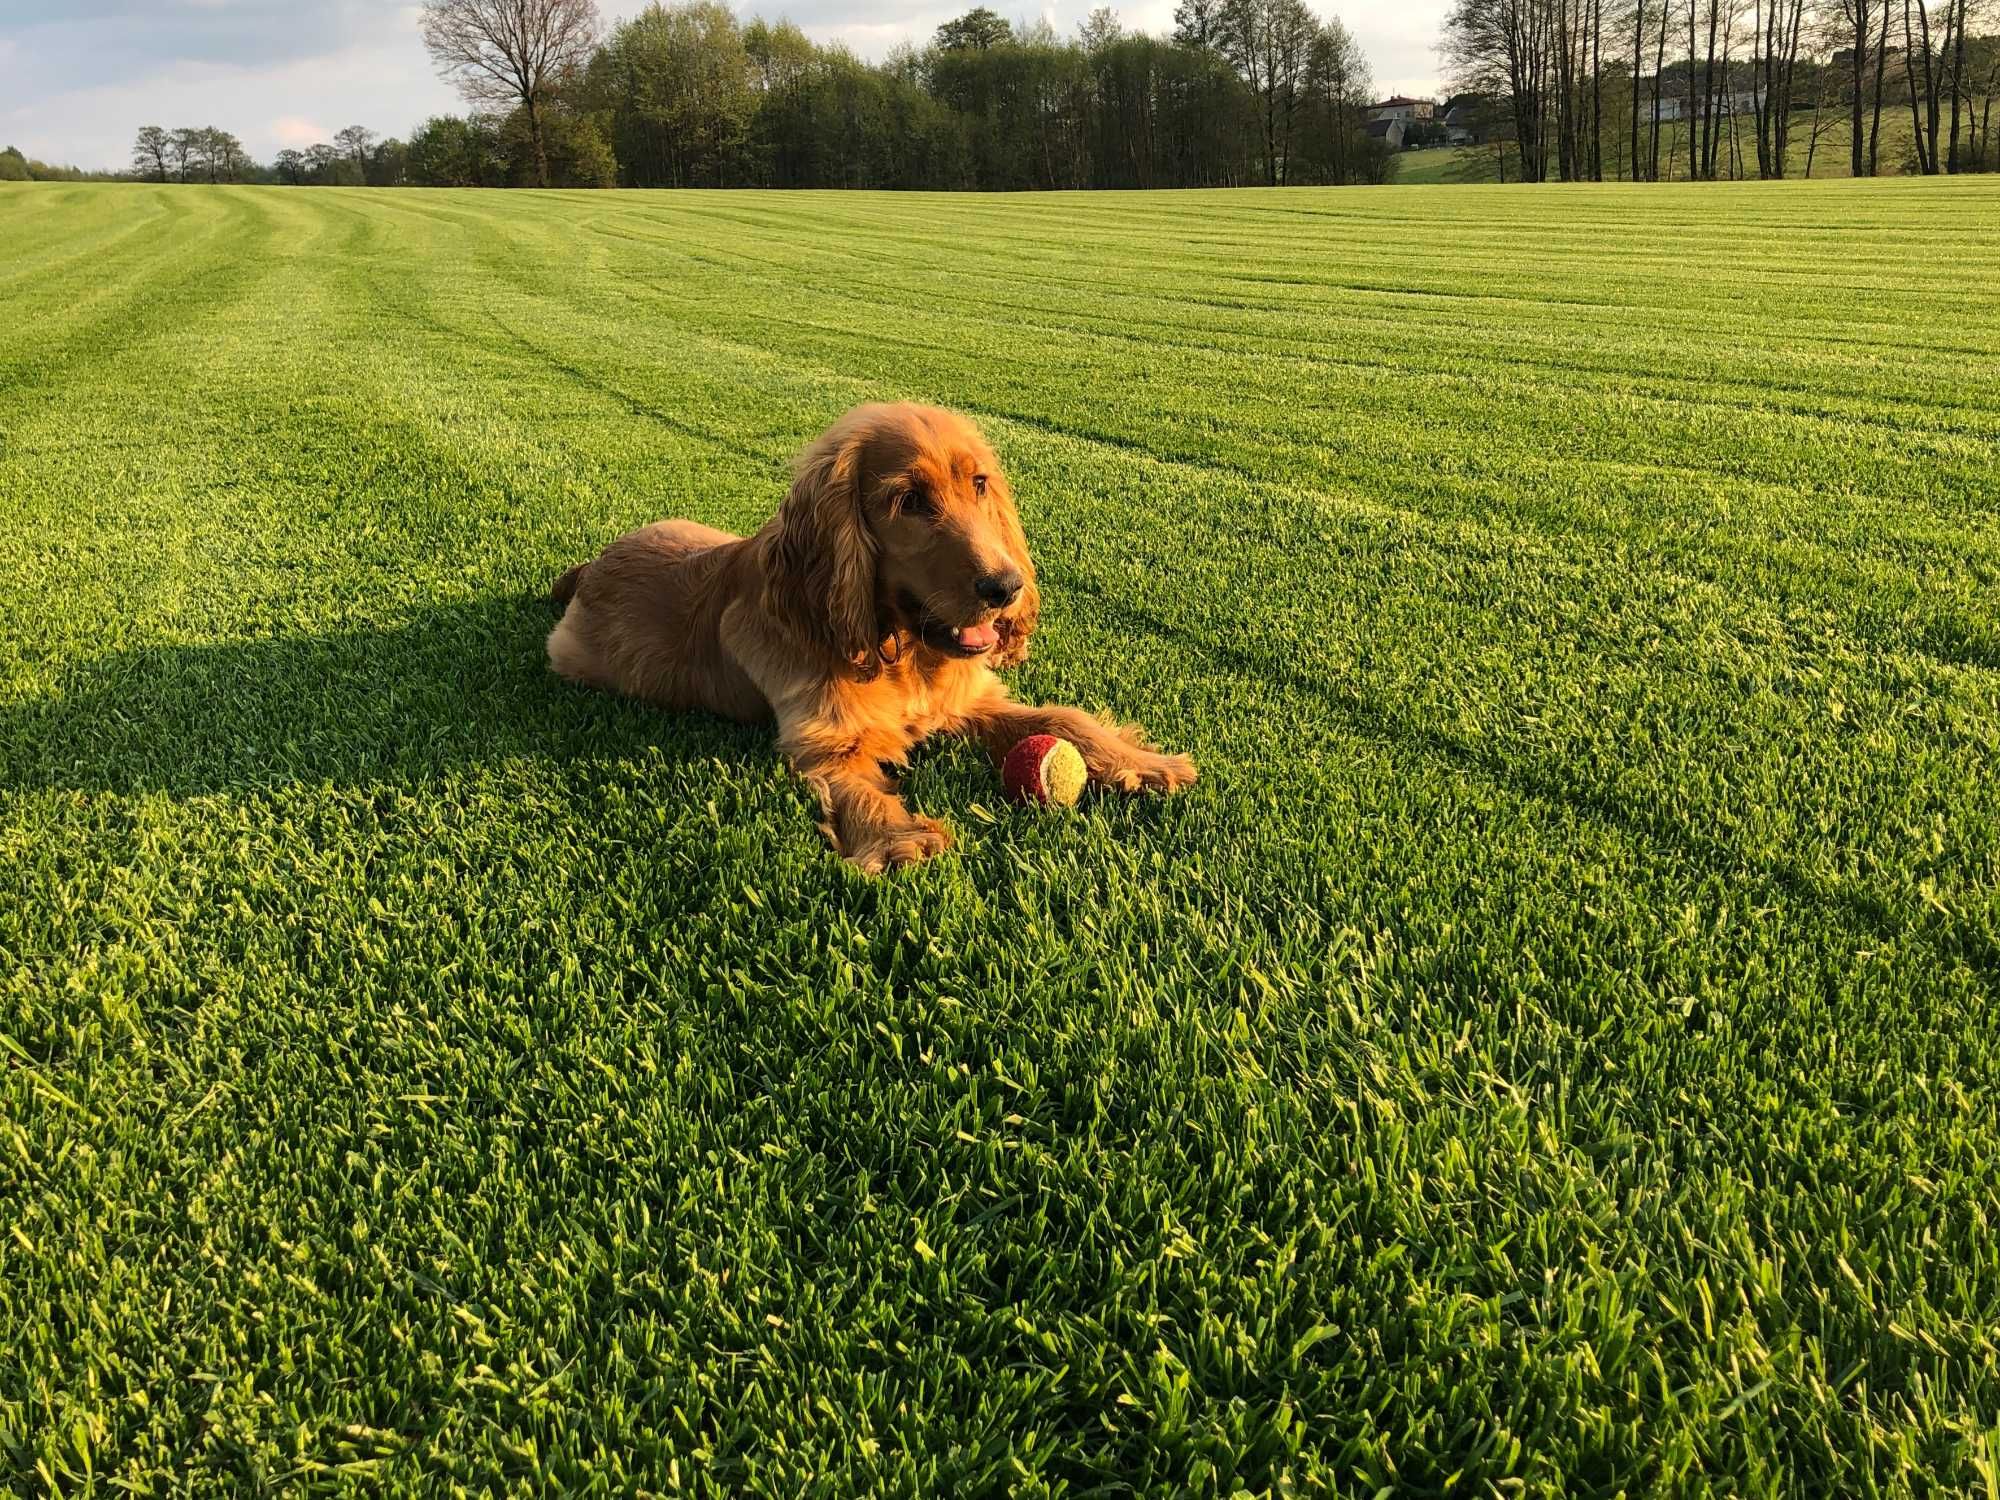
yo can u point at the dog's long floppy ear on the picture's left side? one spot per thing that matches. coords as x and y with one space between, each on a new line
823 567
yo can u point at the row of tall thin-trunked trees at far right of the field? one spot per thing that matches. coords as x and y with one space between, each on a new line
1723 89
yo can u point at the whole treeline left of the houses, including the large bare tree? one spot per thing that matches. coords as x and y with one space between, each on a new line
685 95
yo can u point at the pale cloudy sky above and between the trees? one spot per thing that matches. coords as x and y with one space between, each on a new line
81 77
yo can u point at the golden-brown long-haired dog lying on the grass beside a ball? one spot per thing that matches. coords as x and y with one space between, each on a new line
863 619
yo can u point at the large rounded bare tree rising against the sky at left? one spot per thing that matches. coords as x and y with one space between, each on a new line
511 53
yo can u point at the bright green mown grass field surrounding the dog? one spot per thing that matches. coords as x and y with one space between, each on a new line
1551 1053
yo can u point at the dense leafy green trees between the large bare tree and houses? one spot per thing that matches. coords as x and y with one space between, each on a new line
1249 91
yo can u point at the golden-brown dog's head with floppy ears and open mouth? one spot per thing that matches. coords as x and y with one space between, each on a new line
901 525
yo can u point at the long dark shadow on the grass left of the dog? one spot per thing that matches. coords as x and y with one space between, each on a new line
451 687
